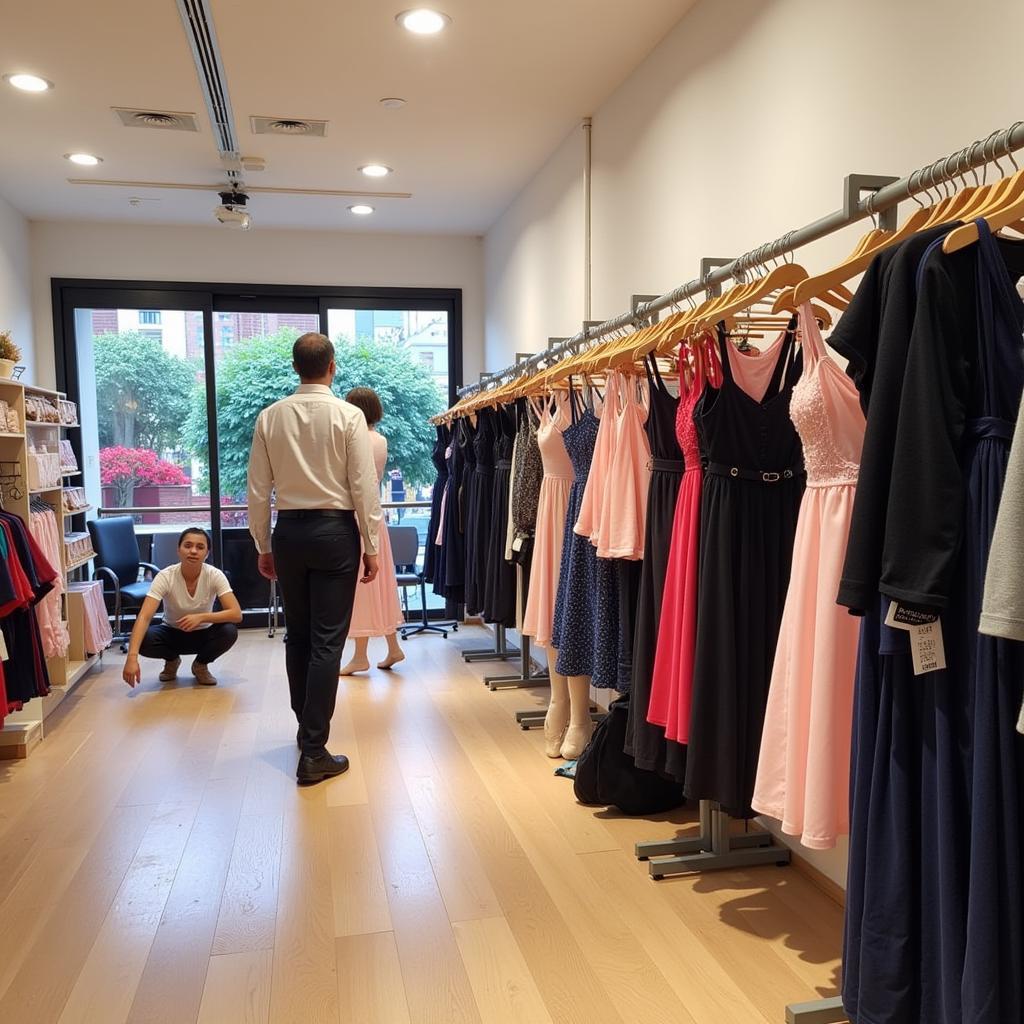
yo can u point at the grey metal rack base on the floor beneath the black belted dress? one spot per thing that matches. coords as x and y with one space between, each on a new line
713 850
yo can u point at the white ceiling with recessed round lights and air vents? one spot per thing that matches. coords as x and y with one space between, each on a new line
489 102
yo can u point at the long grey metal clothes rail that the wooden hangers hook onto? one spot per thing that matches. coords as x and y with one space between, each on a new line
886 194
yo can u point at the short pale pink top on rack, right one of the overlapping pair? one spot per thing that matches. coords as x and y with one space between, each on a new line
624 504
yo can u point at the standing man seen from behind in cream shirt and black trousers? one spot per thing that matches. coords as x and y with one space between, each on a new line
313 451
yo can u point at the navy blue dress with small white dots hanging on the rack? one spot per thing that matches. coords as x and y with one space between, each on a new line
573 633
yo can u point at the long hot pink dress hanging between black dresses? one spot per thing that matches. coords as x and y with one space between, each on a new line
672 688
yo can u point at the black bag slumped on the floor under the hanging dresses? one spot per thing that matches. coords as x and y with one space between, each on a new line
607 777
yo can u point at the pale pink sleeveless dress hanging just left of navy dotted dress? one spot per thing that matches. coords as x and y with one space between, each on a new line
550 531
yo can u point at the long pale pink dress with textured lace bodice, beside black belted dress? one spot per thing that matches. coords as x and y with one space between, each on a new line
804 766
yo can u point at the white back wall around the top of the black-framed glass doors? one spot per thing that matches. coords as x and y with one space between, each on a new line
278 258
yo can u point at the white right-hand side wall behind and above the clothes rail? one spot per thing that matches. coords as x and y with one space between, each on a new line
740 127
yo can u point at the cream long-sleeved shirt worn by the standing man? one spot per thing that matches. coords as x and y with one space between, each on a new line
313 451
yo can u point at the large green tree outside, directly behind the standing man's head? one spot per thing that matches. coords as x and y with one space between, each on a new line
259 372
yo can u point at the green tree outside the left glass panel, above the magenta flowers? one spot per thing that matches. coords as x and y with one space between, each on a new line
144 394
